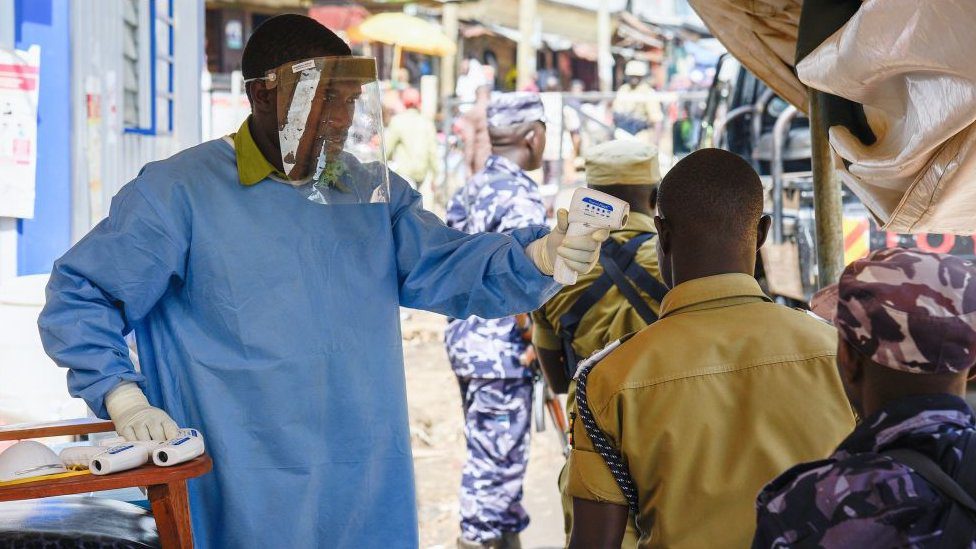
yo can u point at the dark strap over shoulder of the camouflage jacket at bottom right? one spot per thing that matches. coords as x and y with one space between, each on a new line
959 528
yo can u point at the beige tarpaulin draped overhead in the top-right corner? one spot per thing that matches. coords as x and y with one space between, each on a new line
909 64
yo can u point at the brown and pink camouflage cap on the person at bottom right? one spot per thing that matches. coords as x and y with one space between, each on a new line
908 310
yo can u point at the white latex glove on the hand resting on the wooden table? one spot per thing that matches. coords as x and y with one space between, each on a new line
135 418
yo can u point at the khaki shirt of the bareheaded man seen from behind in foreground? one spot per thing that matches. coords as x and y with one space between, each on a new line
707 405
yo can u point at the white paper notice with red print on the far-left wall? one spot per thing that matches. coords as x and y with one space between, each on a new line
19 83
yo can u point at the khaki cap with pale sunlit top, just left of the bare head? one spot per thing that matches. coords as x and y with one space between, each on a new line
622 162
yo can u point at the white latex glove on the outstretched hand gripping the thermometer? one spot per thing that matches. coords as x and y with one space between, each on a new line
580 252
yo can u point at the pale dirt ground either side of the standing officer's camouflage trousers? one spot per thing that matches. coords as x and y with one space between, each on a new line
438 445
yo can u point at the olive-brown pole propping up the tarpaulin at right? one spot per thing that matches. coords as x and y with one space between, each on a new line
828 208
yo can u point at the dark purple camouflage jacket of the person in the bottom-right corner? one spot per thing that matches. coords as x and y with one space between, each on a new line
859 498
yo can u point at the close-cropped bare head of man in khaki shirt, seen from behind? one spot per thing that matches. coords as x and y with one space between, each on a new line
710 216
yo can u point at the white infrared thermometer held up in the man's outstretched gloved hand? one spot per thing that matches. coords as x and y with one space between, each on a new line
588 212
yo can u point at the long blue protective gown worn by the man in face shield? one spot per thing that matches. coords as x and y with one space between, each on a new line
271 323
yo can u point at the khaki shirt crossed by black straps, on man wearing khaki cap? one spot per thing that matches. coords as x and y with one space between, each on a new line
611 317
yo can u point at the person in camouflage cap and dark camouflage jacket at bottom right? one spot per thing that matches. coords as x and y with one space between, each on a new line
906 476
